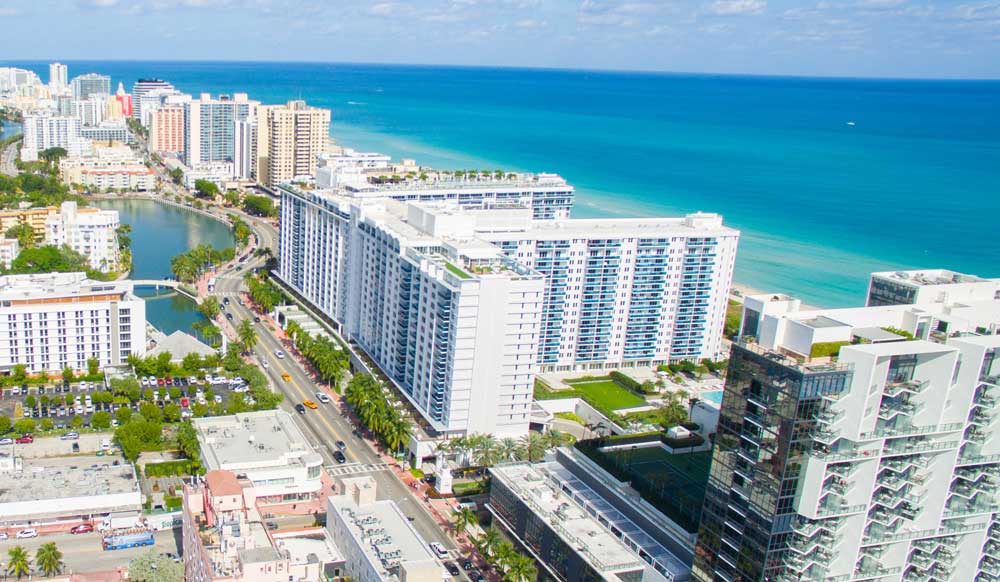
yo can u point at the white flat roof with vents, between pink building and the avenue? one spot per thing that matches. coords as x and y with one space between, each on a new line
382 530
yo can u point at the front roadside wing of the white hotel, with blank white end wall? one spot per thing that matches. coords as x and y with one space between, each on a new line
449 318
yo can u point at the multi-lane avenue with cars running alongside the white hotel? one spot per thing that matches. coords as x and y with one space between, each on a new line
326 424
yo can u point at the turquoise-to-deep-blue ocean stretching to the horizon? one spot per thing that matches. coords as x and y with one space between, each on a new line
828 179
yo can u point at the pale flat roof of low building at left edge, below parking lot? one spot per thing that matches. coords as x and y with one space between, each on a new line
63 483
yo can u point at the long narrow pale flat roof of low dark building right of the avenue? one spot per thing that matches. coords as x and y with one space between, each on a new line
533 484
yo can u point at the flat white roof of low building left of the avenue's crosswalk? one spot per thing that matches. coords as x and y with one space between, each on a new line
251 440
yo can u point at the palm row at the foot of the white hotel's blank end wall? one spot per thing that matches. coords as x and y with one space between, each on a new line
485 450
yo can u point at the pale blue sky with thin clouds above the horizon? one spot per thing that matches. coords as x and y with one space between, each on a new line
883 38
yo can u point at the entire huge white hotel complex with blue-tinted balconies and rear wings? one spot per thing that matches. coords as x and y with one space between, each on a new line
462 290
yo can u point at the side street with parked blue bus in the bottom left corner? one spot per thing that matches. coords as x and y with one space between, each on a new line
83 552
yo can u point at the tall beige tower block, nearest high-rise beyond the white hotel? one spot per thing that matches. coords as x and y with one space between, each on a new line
288 139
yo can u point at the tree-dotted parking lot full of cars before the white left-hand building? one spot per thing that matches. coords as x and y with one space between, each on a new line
61 403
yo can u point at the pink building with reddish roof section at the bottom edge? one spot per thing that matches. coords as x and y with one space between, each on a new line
225 539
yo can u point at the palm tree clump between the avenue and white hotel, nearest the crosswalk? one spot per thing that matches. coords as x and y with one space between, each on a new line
379 410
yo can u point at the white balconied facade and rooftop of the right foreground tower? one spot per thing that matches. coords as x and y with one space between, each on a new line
899 469
